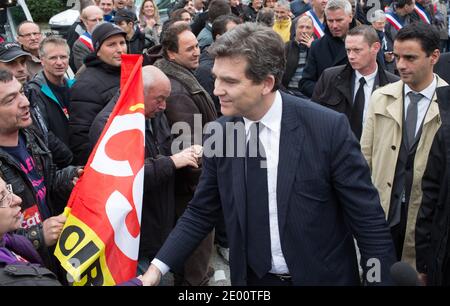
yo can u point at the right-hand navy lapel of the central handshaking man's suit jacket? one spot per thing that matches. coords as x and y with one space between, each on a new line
291 138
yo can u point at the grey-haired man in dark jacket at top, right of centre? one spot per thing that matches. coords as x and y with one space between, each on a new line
328 51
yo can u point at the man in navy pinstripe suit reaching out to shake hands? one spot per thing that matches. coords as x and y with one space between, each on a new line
291 218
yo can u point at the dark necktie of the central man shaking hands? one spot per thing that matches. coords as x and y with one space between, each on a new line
258 229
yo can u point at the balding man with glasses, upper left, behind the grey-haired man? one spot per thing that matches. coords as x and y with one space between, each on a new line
29 37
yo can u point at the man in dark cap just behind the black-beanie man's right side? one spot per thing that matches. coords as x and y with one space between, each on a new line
137 41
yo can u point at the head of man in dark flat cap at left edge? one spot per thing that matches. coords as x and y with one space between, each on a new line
13 59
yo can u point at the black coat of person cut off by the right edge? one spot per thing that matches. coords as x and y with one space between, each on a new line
433 218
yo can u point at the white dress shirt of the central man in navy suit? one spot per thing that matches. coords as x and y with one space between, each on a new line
270 138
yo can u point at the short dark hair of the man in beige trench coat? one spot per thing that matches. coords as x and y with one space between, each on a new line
425 34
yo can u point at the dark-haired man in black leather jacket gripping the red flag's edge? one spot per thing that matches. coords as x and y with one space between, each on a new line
26 163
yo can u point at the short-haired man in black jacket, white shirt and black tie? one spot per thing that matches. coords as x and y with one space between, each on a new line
347 88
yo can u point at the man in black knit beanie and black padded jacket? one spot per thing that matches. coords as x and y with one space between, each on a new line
95 86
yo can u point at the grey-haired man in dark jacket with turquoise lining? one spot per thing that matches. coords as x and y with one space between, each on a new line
49 89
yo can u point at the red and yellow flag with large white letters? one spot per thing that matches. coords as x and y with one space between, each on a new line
99 243
